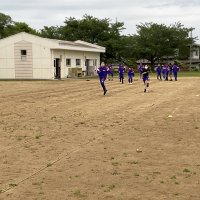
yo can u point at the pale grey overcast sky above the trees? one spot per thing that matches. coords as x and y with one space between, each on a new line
40 13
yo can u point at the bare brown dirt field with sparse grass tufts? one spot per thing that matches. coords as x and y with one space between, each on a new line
63 140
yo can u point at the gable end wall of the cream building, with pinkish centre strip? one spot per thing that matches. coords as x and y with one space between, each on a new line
38 64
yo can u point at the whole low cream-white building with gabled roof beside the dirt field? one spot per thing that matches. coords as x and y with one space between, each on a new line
26 56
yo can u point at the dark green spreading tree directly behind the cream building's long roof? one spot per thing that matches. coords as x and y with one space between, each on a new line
93 30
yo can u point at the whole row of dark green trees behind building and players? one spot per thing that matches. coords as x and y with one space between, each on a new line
152 41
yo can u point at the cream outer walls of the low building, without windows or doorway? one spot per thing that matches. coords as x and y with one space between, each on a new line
41 53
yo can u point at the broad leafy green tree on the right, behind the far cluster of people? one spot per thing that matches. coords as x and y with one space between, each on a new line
155 41
